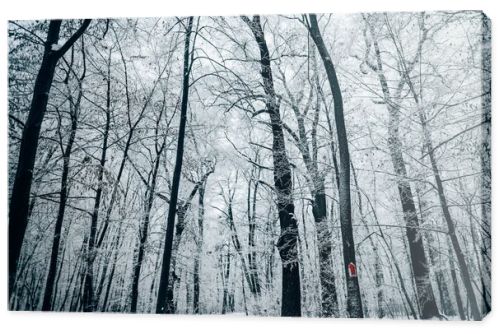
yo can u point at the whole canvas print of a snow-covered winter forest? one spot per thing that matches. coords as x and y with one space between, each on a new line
309 165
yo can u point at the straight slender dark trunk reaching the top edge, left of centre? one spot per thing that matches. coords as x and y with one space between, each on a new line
161 305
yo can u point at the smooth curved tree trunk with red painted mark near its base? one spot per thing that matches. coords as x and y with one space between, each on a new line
354 304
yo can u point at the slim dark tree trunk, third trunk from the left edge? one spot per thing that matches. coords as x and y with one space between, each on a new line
89 303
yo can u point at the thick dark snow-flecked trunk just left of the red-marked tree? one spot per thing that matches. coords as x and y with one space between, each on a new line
287 243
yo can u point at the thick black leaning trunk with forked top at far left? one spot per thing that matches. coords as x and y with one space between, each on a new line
21 189
